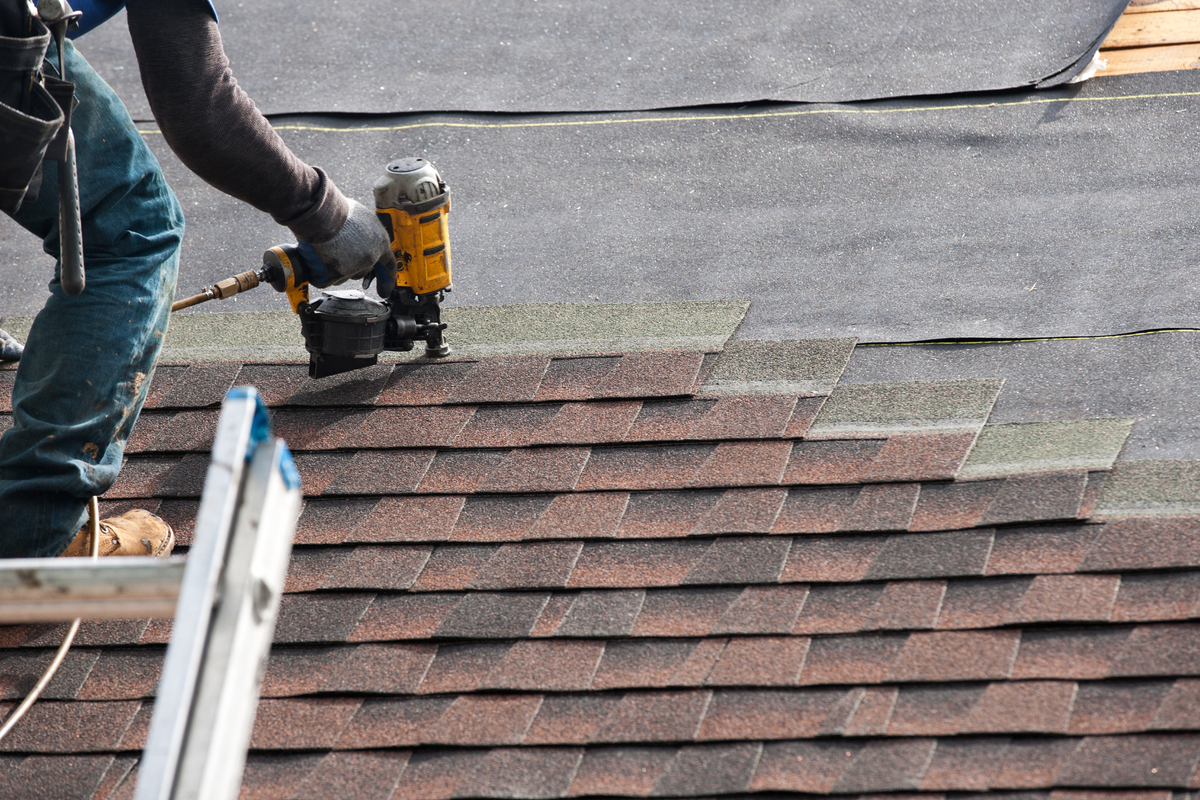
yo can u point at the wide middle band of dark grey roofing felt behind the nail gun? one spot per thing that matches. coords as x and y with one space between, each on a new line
1059 213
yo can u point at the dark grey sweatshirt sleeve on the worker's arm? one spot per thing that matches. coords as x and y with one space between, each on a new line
214 127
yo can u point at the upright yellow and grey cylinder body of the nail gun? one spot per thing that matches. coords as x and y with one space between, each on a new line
413 202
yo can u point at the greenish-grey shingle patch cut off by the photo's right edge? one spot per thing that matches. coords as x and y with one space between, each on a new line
1163 489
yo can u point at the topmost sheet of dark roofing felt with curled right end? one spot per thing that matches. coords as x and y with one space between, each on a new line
537 56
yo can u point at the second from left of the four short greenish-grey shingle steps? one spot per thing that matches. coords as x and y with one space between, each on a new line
890 410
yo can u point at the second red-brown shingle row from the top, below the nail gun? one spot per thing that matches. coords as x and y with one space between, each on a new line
500 426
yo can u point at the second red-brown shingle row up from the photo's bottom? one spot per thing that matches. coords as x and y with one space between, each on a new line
652 718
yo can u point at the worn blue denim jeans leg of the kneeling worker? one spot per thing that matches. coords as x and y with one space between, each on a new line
89 359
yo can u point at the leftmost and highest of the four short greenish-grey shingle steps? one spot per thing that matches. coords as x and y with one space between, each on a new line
785 368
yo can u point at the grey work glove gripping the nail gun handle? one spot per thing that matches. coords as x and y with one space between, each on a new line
359 249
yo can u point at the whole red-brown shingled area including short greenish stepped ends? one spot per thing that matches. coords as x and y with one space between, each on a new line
669 574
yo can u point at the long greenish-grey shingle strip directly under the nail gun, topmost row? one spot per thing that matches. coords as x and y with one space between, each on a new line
473 330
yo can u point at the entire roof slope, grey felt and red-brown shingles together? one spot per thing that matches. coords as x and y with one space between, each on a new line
710 548
